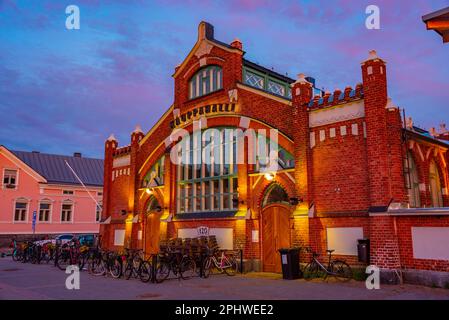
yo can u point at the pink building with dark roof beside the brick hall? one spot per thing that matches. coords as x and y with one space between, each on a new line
47 185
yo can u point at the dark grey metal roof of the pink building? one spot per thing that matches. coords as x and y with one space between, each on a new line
53 168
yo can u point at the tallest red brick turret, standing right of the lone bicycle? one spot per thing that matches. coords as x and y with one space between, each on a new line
381 145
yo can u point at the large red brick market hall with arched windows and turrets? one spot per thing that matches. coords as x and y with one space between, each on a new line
349 166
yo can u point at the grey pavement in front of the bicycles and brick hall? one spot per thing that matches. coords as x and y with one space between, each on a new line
44 282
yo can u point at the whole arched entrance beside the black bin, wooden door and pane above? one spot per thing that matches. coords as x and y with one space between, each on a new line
275 227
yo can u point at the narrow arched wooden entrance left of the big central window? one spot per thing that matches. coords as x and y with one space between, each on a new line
152 226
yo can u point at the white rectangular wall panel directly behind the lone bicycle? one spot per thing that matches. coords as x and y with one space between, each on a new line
344 240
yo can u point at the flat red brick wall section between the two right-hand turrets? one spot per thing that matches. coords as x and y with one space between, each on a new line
339 169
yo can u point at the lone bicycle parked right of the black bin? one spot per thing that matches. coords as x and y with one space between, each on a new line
337 268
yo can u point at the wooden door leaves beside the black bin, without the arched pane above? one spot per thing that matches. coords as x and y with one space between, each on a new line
275 235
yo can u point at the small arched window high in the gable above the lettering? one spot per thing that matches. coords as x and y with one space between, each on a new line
206 80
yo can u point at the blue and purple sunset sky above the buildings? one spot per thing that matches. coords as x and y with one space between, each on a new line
63 90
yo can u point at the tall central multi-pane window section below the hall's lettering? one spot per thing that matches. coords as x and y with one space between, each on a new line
208 186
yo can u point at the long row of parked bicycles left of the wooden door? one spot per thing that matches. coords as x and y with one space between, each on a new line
177 258
